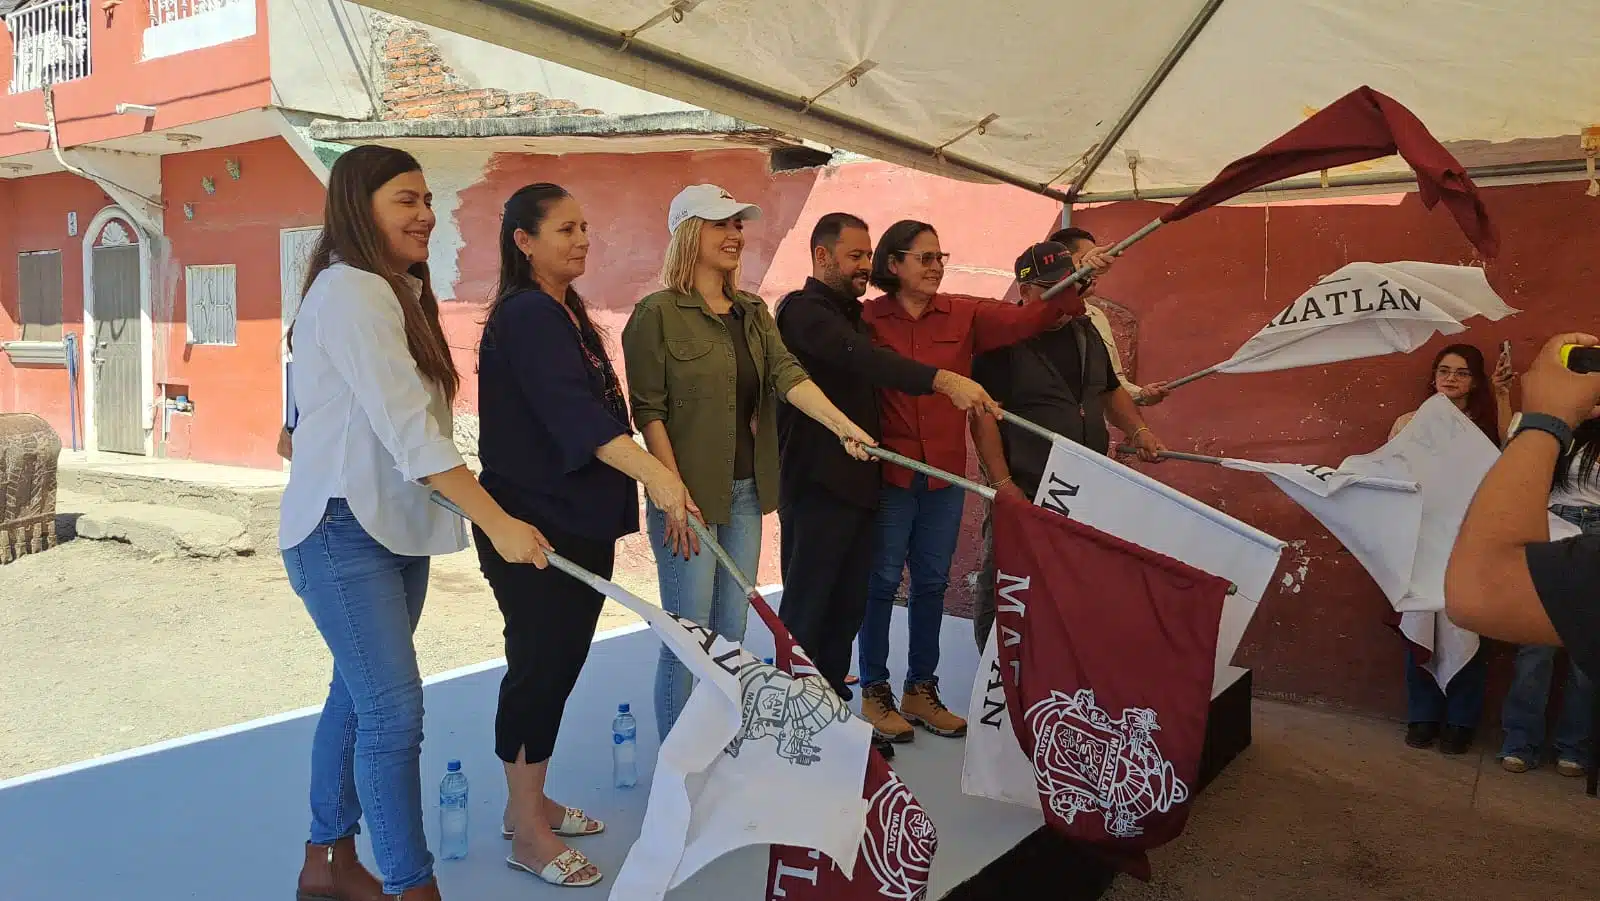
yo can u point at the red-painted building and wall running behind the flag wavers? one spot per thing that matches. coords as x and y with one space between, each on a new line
198 204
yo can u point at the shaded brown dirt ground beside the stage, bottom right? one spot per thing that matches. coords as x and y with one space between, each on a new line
1330 807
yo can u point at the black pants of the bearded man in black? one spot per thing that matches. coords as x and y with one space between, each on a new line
826 556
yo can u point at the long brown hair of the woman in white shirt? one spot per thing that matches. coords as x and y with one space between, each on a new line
350 234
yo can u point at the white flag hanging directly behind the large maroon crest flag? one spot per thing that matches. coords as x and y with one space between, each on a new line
1129 505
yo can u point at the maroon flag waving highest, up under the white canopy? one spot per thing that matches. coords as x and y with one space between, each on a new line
1361 126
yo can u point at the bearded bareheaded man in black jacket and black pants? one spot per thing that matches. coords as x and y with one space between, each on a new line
828 500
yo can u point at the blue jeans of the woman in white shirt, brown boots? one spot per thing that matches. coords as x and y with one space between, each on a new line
366 753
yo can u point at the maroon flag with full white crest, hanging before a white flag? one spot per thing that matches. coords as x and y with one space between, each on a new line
1106 654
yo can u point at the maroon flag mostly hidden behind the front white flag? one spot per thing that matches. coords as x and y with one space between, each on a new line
897 851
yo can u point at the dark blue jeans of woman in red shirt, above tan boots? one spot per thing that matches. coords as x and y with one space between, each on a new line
916 527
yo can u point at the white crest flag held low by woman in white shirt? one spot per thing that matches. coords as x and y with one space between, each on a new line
758 758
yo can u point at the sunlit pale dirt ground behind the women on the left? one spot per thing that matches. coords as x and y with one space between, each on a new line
110 649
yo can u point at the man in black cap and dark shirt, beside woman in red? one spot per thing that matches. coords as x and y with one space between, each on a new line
1062 380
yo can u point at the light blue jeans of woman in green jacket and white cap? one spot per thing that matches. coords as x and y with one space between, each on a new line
702 591
